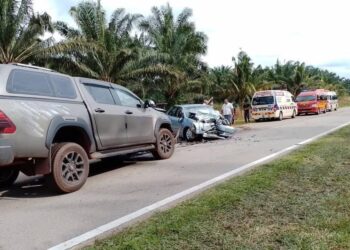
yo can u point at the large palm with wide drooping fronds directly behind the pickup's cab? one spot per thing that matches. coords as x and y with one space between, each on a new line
113 56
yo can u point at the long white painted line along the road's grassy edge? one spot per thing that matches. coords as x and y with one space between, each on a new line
127 218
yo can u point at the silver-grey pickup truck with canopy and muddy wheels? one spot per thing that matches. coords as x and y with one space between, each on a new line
53 125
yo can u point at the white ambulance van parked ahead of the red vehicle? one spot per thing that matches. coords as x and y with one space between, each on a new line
273 104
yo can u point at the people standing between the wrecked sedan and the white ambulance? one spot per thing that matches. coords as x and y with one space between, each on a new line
229 111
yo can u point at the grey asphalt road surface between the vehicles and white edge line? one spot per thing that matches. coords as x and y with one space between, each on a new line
33 218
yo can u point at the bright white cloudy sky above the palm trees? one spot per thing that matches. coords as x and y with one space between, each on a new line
311 31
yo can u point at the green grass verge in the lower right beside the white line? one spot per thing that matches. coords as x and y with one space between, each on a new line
301 201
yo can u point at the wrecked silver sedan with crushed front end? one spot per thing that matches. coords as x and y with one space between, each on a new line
192 121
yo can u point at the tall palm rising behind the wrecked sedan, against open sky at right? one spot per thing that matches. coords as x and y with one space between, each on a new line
177 46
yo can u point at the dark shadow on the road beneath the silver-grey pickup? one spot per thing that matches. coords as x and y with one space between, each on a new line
35 186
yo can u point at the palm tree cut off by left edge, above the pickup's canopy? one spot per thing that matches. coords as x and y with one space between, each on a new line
21 32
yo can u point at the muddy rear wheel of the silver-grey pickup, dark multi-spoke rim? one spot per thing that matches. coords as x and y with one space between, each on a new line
70 167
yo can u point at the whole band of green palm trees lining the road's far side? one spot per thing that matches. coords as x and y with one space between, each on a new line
159 56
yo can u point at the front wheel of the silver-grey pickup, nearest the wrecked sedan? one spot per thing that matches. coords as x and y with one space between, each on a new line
165 145
